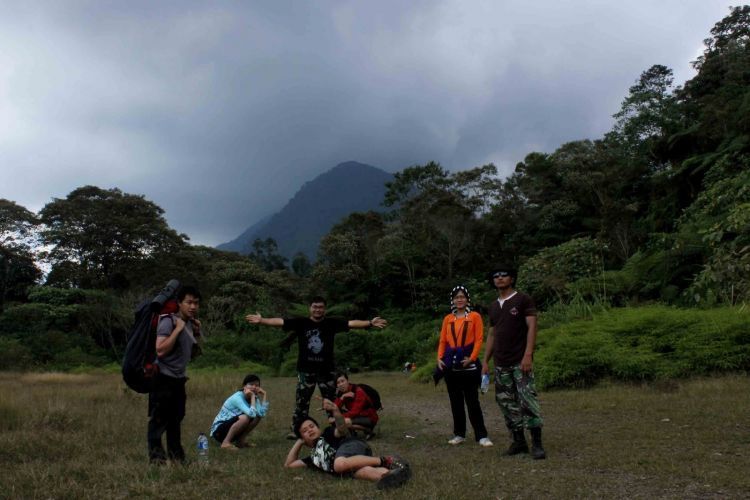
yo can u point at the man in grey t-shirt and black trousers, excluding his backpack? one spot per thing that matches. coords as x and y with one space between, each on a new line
175 342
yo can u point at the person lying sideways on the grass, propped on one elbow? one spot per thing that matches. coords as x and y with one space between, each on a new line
335 451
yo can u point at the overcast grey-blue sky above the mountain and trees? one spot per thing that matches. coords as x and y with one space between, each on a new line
220 111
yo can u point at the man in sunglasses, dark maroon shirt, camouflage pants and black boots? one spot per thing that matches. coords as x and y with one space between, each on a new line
510 343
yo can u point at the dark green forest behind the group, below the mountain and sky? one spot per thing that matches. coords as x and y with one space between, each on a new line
656 213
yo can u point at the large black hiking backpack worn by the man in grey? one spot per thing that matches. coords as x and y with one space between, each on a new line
139 367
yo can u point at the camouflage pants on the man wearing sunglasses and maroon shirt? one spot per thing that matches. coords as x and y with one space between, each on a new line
517 397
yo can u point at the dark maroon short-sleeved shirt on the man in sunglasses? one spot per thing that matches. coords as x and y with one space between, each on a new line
510 329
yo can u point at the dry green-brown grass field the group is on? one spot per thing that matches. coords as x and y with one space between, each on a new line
83 436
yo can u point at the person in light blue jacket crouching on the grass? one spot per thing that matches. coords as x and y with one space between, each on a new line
240 414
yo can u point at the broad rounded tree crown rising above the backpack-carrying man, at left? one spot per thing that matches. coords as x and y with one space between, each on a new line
96 234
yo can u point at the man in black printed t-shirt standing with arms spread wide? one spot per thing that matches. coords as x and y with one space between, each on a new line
315 362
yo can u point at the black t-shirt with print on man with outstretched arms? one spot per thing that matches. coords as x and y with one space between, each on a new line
315 340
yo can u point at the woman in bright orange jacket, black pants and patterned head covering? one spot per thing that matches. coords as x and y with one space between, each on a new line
458 357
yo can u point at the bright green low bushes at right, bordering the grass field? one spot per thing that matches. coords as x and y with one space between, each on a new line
647 343
